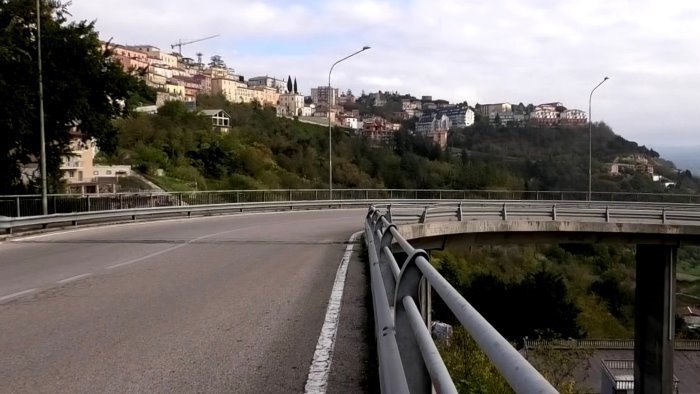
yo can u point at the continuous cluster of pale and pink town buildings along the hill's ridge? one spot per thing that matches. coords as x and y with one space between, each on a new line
175 77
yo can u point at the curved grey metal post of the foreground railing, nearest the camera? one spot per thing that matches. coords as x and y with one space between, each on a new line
415 369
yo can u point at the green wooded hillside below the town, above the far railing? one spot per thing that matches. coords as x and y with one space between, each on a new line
262 150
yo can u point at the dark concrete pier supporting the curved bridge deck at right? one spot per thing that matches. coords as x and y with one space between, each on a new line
654 318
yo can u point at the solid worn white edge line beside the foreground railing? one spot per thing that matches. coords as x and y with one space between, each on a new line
317 380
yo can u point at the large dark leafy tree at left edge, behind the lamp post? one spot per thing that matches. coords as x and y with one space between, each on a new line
83 90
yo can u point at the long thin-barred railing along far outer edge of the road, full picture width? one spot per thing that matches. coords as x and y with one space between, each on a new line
30 205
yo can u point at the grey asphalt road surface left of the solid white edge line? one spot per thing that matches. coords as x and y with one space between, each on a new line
217 304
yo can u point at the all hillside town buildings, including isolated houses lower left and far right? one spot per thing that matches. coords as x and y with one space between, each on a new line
377 116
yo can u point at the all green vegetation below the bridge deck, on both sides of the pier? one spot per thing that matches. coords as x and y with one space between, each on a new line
548 292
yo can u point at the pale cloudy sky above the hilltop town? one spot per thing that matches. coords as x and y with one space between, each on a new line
479 51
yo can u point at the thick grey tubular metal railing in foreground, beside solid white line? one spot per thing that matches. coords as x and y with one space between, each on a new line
408 358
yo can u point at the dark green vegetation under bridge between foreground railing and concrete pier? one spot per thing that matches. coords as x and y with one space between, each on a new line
581 291
